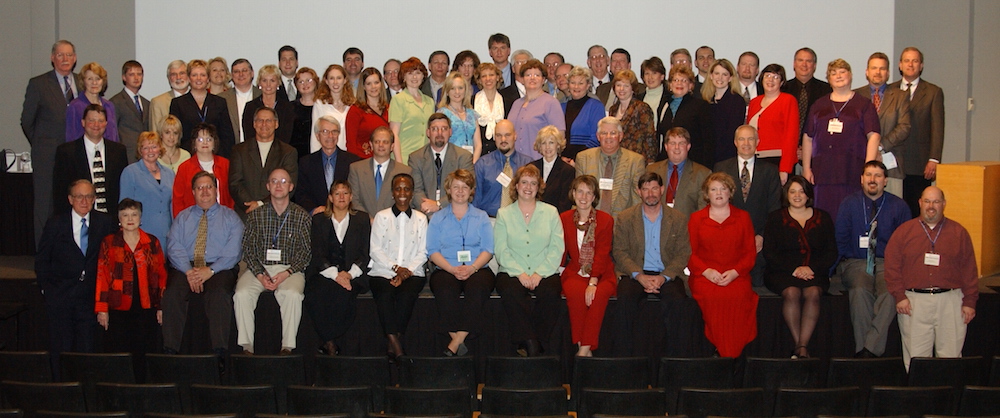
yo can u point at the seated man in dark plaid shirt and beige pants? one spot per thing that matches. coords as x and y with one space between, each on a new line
276 250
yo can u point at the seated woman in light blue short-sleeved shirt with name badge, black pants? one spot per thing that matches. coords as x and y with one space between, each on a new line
460 244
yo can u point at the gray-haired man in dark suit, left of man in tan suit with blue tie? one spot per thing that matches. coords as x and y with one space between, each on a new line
318 171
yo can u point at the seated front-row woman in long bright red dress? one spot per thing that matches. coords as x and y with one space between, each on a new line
722 254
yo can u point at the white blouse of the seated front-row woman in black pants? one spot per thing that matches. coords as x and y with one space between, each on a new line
398 239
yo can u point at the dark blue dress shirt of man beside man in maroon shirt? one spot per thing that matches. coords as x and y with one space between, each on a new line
854 216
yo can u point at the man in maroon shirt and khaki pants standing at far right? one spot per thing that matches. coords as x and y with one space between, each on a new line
930 270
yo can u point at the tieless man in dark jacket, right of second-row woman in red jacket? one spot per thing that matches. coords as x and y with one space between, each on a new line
248 175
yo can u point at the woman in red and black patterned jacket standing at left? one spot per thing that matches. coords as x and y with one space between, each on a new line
131 276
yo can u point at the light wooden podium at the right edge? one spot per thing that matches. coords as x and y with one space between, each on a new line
972 190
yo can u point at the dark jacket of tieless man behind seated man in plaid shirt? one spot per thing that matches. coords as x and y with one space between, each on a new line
248 177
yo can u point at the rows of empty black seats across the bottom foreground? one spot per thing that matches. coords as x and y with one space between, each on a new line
512 386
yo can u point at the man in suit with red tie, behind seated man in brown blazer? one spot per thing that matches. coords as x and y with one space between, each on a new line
682 176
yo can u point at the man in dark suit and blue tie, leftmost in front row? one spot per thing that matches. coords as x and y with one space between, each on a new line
66 266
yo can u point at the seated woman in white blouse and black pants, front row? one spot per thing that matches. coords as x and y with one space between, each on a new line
398 250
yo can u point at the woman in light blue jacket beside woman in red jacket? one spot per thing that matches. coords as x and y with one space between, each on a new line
151 183
